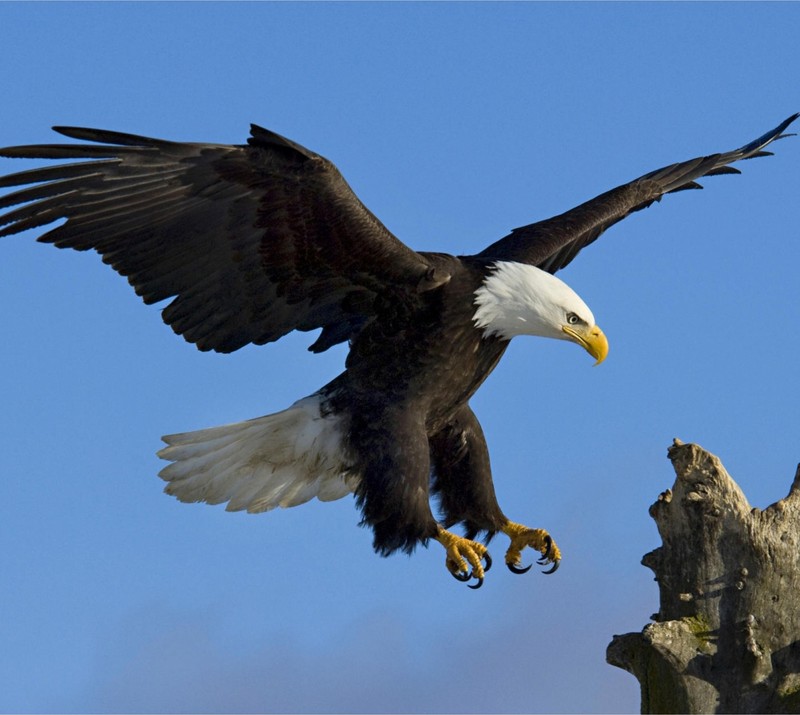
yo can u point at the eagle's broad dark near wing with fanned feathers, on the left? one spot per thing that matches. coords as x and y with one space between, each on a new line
251 242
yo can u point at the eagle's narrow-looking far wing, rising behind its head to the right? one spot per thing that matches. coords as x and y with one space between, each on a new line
553 243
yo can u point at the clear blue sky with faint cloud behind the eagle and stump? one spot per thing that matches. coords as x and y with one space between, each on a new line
453 123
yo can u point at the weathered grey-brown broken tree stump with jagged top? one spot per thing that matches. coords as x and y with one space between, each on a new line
726 637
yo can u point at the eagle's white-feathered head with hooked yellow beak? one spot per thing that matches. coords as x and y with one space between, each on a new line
518 299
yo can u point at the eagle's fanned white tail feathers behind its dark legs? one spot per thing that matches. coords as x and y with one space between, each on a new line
282 460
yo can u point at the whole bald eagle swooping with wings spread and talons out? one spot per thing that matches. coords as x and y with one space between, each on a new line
251 242
